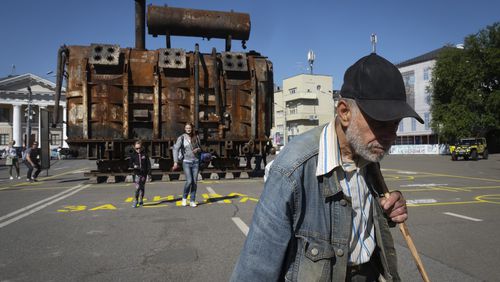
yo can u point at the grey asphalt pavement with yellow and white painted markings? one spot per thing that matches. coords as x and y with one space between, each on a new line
62 228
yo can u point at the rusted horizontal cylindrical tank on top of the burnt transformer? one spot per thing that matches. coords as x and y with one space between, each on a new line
198 23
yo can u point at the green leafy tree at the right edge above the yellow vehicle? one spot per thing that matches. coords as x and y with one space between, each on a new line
466 87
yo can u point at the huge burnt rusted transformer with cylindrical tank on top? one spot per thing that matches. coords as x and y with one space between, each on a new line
117 95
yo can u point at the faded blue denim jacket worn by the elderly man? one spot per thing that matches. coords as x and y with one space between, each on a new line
302 223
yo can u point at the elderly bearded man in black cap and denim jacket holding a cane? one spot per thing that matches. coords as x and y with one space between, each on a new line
322 216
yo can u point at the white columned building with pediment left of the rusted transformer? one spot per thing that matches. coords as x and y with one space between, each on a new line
14 100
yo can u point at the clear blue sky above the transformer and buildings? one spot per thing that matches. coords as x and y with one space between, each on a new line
338 31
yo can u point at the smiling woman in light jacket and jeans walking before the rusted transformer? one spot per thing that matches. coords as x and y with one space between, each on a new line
186 151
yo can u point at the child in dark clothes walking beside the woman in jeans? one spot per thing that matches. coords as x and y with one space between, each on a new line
139 161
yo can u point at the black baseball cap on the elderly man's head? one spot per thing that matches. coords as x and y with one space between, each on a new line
378 88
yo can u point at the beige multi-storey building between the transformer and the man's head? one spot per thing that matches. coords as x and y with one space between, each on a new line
304 102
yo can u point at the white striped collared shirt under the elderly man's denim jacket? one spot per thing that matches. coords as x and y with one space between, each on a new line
352 181
